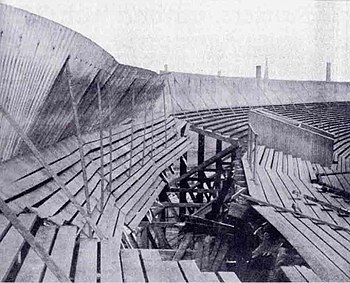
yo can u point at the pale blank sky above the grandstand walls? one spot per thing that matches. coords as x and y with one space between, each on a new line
204 36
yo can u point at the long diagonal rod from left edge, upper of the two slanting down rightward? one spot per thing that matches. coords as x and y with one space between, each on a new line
49 171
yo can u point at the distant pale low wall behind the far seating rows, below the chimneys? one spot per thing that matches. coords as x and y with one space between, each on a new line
192 91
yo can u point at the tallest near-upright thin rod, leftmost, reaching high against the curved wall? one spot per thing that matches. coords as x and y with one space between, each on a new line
80 143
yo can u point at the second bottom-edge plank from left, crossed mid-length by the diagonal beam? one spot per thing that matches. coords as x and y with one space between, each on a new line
33 266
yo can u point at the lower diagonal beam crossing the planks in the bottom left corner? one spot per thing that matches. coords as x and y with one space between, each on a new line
39 250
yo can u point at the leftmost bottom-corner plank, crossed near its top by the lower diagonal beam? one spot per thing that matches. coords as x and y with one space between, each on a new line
12 244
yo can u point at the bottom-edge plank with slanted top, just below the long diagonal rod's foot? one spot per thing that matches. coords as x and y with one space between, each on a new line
110 260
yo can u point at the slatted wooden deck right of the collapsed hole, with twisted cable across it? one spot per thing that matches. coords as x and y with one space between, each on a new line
305 215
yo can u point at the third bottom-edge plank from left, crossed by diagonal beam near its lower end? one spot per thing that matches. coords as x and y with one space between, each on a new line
62 252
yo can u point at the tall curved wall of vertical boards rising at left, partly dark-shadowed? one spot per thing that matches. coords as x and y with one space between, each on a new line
34 86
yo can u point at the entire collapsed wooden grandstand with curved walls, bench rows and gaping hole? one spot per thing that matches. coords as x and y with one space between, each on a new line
115 173
